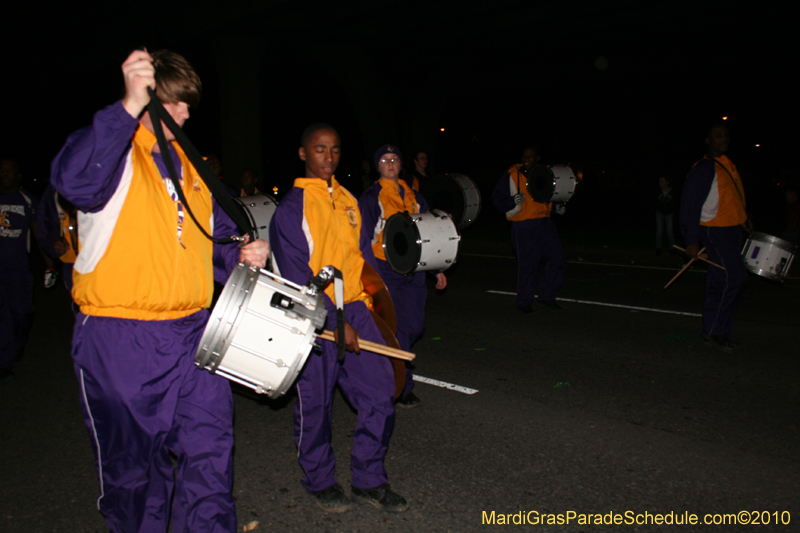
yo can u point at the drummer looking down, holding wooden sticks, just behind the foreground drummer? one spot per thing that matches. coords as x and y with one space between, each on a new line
318 223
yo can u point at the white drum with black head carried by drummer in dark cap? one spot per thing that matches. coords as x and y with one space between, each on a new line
420 242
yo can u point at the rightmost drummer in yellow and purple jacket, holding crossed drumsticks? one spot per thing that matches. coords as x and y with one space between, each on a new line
713 213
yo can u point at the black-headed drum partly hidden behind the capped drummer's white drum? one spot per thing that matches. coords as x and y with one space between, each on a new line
455 194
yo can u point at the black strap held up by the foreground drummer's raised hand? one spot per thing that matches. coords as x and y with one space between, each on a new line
218 191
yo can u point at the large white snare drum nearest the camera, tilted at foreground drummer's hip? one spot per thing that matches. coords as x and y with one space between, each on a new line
261 331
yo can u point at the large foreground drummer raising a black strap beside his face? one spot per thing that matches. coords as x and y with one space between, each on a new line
143 281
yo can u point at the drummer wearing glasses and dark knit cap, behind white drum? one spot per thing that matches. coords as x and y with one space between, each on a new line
387 196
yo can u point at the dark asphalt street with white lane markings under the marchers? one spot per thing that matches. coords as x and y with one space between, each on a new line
594 410
